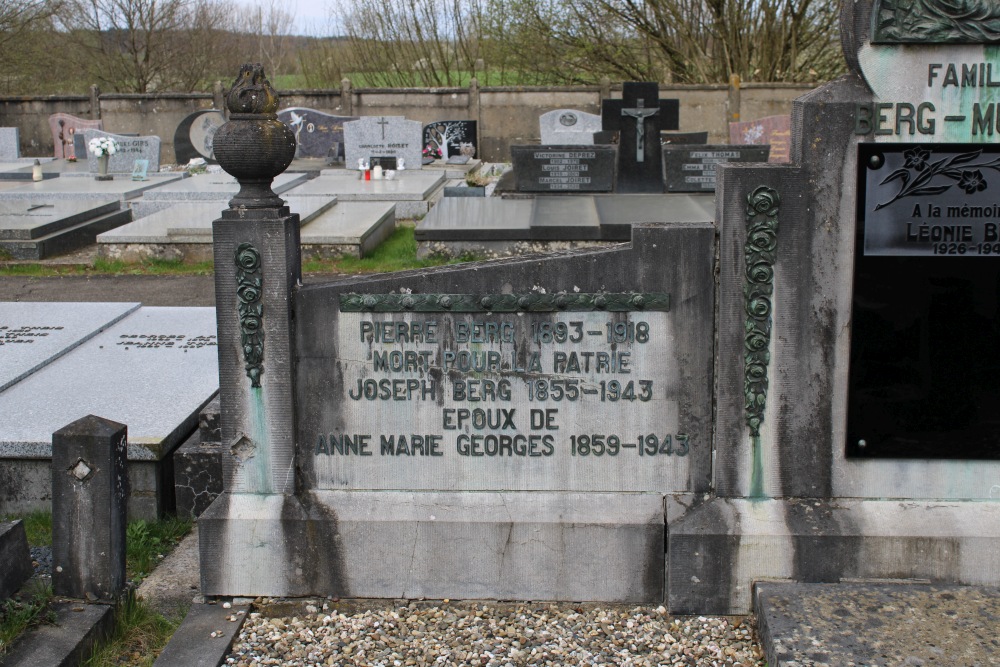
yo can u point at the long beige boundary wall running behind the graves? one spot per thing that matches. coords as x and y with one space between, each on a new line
507 115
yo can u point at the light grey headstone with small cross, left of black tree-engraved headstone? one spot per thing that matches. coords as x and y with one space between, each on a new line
383 136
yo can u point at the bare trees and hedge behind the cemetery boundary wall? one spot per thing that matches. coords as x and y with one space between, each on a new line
62 46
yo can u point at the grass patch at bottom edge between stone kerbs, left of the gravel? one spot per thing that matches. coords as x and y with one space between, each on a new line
138 636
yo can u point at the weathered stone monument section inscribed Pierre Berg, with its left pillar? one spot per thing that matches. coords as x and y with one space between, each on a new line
495 424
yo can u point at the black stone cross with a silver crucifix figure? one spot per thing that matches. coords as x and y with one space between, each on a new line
639 116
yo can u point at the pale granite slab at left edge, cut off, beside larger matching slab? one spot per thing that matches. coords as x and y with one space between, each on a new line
33 335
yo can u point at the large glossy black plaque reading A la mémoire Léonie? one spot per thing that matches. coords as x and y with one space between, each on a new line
925 337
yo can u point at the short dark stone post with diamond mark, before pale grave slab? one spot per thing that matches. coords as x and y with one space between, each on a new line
90 491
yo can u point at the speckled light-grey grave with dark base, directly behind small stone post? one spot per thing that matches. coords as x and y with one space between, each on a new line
152 370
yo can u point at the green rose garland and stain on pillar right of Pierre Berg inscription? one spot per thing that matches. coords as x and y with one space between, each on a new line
760 252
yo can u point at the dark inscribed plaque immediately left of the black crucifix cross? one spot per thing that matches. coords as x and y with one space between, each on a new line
563 168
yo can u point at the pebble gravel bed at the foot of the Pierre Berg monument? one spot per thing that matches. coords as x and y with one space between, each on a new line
494 635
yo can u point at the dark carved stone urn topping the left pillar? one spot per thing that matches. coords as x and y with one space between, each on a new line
254 146
